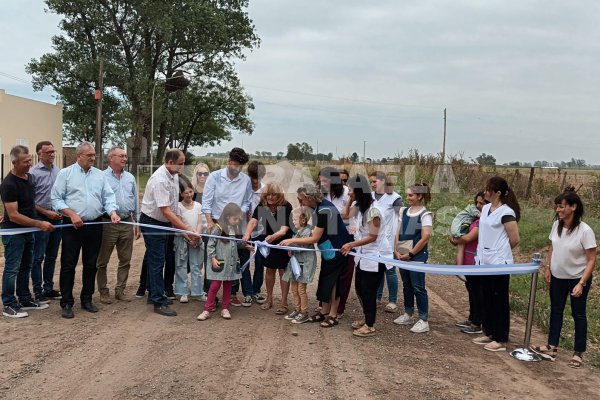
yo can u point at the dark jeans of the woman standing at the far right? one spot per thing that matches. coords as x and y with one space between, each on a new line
560 289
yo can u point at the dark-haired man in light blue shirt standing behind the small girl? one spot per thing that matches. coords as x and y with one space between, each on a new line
224 186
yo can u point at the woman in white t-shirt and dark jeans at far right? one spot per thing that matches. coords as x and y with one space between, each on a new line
572 258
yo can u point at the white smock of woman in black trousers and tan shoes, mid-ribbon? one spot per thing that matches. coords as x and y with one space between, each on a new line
374 248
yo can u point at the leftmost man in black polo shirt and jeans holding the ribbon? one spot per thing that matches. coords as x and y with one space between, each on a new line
17 194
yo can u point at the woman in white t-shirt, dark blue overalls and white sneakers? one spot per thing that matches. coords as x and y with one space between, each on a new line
410 244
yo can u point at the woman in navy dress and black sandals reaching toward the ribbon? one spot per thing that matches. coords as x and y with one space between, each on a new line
329 233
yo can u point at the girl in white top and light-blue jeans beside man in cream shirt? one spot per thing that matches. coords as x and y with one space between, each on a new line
184 252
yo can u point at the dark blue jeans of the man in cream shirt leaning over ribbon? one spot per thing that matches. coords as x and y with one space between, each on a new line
156 242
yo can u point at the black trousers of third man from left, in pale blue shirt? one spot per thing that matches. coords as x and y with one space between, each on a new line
86 240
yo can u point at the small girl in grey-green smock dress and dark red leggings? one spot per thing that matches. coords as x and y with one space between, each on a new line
224 262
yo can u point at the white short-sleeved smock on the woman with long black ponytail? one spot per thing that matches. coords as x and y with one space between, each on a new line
493 247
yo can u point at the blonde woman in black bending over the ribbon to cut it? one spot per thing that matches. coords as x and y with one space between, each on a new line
273 214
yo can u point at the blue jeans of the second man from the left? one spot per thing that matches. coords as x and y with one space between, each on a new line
45 250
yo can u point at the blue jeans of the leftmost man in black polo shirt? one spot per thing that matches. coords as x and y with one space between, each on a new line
18 254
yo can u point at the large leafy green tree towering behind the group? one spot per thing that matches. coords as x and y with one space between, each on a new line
140 42
